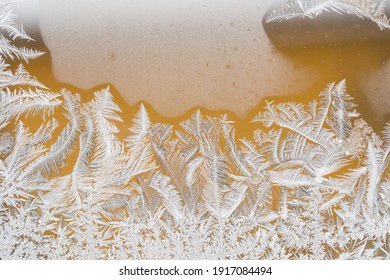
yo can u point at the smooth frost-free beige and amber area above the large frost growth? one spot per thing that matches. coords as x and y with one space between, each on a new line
177 55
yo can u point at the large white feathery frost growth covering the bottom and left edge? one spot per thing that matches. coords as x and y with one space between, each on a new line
312 182
